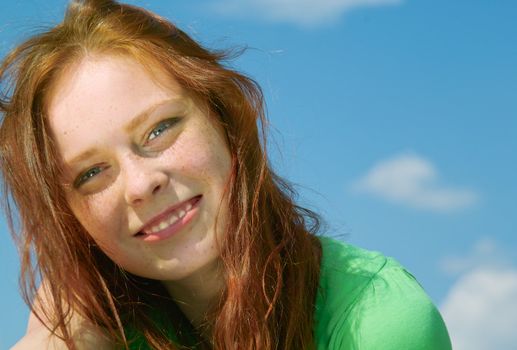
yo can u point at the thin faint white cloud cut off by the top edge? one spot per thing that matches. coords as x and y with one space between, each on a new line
300 12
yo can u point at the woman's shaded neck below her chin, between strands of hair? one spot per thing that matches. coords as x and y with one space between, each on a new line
195 295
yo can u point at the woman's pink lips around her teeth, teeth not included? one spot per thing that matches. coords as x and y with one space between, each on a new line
175 227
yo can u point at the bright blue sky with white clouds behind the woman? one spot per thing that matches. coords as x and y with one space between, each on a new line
397 121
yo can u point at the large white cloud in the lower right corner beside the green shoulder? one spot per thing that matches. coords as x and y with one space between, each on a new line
480 310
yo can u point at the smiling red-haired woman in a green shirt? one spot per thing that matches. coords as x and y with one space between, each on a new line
135 159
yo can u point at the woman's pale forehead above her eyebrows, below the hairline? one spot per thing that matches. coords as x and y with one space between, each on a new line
99 84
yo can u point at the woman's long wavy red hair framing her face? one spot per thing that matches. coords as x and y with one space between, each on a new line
270 253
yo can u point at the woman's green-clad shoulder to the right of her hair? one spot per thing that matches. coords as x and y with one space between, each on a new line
369 301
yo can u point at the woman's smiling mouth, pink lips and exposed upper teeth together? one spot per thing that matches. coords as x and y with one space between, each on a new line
171 221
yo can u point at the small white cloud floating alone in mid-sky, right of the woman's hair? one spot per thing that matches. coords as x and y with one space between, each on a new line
413 181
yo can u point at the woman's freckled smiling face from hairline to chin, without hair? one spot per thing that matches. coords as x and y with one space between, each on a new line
145 166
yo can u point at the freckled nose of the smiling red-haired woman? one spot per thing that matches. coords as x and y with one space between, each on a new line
143 179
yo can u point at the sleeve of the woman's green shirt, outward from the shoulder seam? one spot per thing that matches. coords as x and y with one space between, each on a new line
391 313
